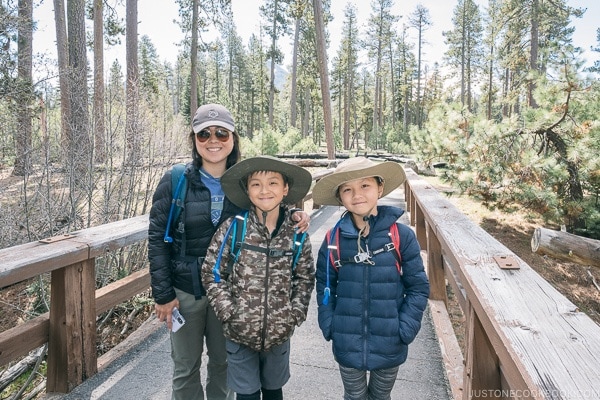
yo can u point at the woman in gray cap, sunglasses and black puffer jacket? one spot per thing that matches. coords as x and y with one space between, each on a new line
175 267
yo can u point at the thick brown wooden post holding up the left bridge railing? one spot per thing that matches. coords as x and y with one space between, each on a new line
72 338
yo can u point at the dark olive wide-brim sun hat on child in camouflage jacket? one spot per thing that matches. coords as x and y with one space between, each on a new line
234 180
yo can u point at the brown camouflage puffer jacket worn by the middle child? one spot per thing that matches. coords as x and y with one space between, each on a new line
263 300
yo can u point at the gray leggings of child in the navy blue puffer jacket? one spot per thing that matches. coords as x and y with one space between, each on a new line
379 385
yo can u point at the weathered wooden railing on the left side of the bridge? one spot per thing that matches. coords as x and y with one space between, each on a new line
70 326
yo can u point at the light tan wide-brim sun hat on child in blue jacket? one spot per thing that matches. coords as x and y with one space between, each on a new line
325 190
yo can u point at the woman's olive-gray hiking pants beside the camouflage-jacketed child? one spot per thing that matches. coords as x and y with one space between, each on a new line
187 345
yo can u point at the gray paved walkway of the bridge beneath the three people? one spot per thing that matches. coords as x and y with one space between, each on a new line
144 370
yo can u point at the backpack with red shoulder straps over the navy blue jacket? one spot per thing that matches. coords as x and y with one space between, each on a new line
334 234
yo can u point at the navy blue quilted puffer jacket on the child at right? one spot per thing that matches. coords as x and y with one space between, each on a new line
373 313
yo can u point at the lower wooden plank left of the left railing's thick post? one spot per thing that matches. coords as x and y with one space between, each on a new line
20 340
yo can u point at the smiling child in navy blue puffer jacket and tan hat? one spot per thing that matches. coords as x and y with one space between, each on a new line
372 288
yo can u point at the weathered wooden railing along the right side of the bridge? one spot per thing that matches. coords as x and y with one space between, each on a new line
524 340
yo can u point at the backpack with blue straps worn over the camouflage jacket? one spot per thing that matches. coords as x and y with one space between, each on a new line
237 230
